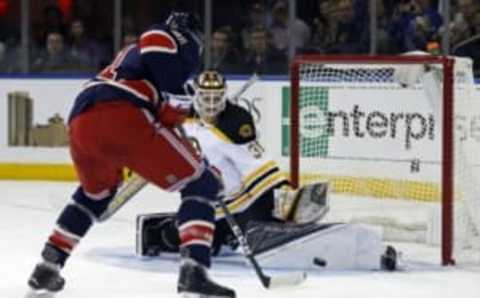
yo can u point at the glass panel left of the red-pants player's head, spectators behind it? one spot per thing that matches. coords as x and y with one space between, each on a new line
70 39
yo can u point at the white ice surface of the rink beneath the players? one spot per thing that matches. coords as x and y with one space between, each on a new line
105 266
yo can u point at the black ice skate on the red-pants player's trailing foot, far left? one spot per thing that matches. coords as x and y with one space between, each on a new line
45 281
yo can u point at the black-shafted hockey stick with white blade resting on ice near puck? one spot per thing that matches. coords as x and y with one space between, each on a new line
268 282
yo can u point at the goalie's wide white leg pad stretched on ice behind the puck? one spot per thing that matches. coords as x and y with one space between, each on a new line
335 246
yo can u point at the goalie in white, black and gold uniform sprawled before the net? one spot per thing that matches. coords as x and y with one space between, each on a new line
281 224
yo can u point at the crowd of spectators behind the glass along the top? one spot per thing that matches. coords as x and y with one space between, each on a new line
260 40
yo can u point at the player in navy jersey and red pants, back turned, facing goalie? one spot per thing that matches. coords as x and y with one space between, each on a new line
125 117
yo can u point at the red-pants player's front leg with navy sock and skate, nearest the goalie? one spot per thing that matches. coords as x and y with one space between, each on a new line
167 160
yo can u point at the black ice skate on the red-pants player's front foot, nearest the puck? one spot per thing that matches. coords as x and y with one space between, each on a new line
194 282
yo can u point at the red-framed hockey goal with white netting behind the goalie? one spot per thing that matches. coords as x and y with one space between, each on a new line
314 77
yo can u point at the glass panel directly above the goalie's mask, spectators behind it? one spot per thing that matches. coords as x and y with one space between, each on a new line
246 44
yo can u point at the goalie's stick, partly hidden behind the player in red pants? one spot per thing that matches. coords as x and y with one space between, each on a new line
137 183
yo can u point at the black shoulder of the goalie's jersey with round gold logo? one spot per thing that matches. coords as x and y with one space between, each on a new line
237 124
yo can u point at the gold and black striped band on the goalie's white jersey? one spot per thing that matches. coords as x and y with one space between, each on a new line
255 186
